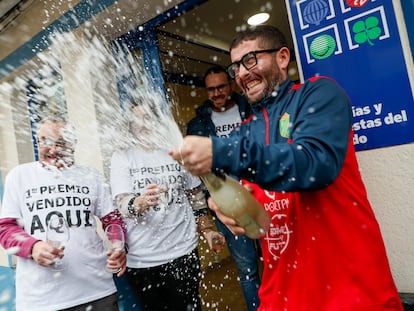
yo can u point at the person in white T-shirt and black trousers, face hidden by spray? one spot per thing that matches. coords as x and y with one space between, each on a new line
160 203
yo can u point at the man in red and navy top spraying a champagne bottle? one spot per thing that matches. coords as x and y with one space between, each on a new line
324 249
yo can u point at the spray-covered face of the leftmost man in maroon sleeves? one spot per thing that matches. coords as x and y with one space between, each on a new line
56 144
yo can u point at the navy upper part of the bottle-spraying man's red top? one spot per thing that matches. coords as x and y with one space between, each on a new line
296 141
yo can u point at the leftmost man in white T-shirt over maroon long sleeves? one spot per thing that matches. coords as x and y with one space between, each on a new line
34 193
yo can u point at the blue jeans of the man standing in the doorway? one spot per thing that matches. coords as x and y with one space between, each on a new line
244 253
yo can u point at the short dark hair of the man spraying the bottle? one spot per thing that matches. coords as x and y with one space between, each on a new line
270 37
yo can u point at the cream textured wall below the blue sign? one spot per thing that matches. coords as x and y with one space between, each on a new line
388 174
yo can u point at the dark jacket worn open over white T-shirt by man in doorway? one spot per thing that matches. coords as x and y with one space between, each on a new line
202 125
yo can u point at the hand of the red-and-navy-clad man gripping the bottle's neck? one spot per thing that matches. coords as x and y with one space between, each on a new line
195 154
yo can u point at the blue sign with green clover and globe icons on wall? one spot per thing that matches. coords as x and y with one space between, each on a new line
357 43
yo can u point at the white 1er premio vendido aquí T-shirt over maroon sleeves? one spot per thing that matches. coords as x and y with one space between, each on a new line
33 194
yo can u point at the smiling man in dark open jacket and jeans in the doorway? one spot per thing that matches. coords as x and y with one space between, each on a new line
218 116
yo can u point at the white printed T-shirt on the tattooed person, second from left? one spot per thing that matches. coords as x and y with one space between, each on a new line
161 234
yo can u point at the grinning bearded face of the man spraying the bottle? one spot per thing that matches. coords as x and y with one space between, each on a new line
264 78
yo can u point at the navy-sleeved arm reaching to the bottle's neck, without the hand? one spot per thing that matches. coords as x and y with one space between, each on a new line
313 156
